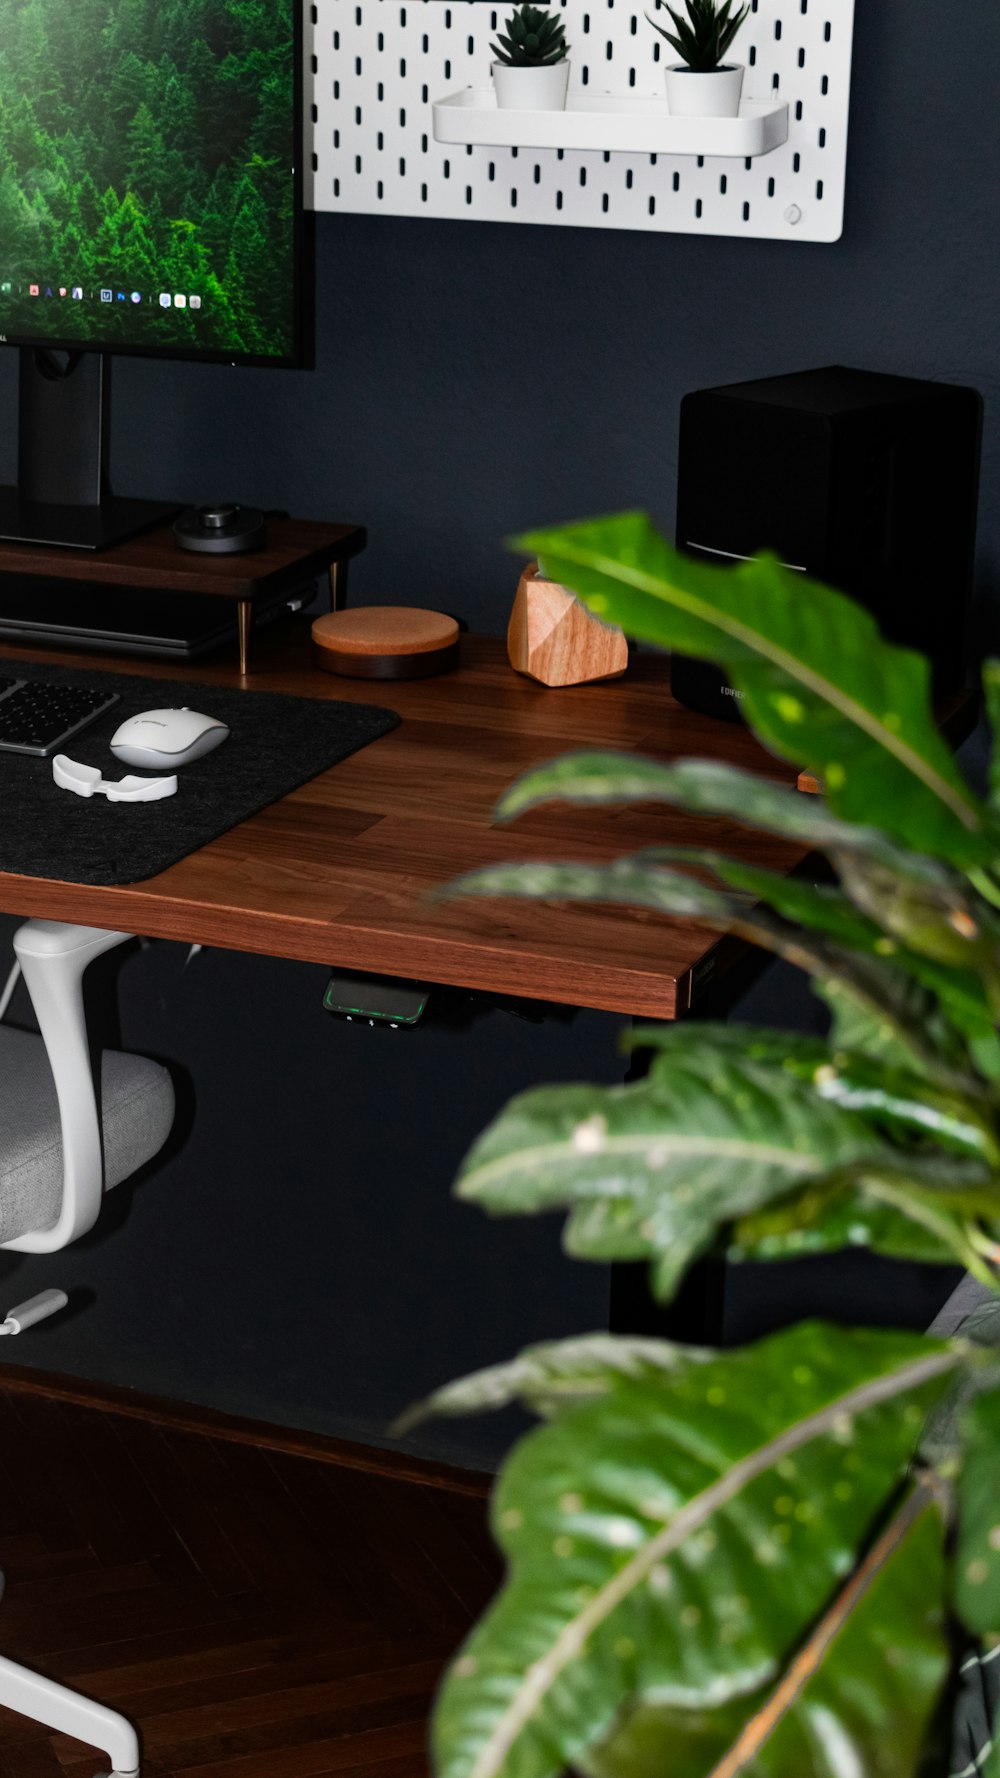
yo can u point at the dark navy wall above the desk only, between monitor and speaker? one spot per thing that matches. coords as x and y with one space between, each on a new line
478 378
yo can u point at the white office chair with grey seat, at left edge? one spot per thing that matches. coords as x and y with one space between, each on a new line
60 1153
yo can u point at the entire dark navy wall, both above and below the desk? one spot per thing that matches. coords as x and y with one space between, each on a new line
474 380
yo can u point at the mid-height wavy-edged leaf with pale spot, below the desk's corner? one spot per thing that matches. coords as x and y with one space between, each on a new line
656 1169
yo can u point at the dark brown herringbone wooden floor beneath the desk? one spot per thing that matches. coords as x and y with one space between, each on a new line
259 1615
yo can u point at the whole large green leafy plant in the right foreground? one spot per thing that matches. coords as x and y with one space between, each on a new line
766 1560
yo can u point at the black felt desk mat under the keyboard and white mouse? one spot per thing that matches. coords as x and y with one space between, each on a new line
277 742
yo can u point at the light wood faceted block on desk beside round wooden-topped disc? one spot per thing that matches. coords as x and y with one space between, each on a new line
554 639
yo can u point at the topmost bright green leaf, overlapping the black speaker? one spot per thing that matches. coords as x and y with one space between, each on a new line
821 687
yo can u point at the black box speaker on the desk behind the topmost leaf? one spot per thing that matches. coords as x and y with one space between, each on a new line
857 479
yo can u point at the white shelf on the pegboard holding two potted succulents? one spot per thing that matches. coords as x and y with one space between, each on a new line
613 122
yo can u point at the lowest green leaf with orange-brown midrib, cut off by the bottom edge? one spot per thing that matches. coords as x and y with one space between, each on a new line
855 1701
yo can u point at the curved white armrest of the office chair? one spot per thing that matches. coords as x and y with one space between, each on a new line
54 957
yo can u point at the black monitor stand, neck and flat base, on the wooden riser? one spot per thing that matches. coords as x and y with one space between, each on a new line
63 493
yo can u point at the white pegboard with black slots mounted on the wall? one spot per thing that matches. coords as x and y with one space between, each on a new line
376 67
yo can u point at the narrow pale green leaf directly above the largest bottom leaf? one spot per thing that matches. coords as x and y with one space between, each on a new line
558 1377
